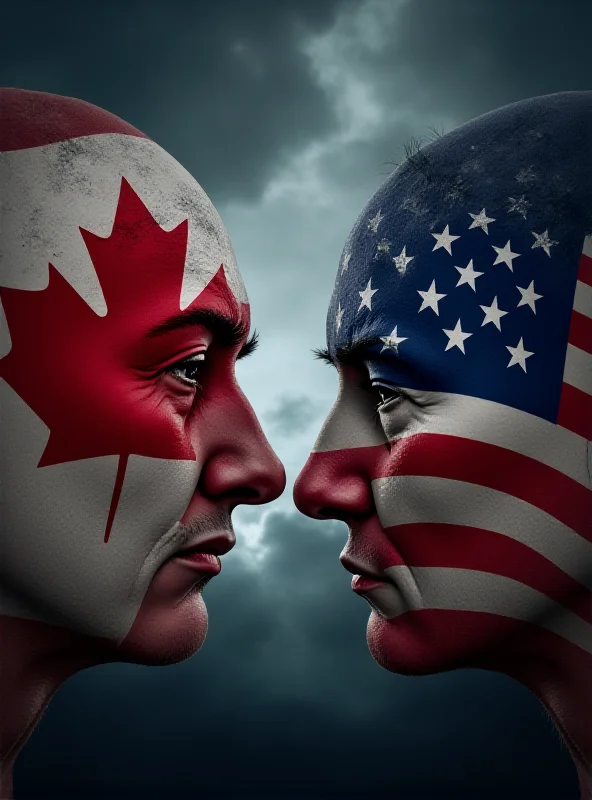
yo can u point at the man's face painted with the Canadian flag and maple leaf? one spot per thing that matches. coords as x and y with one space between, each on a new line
125 435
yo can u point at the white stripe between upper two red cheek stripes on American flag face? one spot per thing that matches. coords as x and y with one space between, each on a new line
405 499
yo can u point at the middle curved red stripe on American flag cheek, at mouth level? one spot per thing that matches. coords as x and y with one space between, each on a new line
436 544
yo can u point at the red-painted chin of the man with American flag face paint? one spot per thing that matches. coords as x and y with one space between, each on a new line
430 641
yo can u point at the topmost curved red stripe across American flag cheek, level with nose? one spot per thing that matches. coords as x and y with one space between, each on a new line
444 456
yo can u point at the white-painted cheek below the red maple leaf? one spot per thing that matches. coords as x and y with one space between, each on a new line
55 564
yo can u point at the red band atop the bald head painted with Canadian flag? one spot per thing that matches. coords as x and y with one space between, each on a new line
32 119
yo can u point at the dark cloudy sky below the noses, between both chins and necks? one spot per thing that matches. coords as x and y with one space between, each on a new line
284 701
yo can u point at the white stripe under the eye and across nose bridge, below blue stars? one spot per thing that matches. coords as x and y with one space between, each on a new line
349 425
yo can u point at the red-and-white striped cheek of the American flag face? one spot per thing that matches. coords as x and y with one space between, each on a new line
474 548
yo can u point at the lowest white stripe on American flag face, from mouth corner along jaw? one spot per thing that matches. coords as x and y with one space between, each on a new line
471 590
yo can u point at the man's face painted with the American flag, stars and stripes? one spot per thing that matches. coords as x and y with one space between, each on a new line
454 452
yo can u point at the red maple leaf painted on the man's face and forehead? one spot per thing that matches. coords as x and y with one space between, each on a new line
66 362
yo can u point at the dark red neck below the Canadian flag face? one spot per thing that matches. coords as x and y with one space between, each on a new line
35 659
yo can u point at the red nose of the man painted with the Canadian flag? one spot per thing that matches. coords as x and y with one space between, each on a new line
240 466
